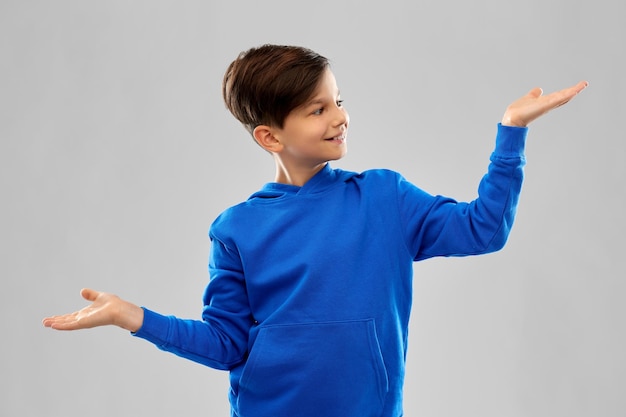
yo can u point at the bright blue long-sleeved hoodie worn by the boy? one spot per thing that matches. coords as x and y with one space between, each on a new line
310 287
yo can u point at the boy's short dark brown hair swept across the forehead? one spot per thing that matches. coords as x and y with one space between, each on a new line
264 84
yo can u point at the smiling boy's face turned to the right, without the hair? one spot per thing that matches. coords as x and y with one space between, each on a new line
315 132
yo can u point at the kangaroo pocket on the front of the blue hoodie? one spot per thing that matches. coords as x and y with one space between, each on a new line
318 369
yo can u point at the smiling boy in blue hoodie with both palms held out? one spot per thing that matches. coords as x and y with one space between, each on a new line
310 291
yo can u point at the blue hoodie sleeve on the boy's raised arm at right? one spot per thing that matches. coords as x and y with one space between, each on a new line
441 226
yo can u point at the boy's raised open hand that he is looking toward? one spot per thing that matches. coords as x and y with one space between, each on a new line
533 105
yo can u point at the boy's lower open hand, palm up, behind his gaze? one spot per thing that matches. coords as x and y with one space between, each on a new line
105 309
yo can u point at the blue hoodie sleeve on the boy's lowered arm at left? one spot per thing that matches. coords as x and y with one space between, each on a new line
220 339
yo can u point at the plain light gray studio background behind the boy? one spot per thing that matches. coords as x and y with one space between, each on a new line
117 153
